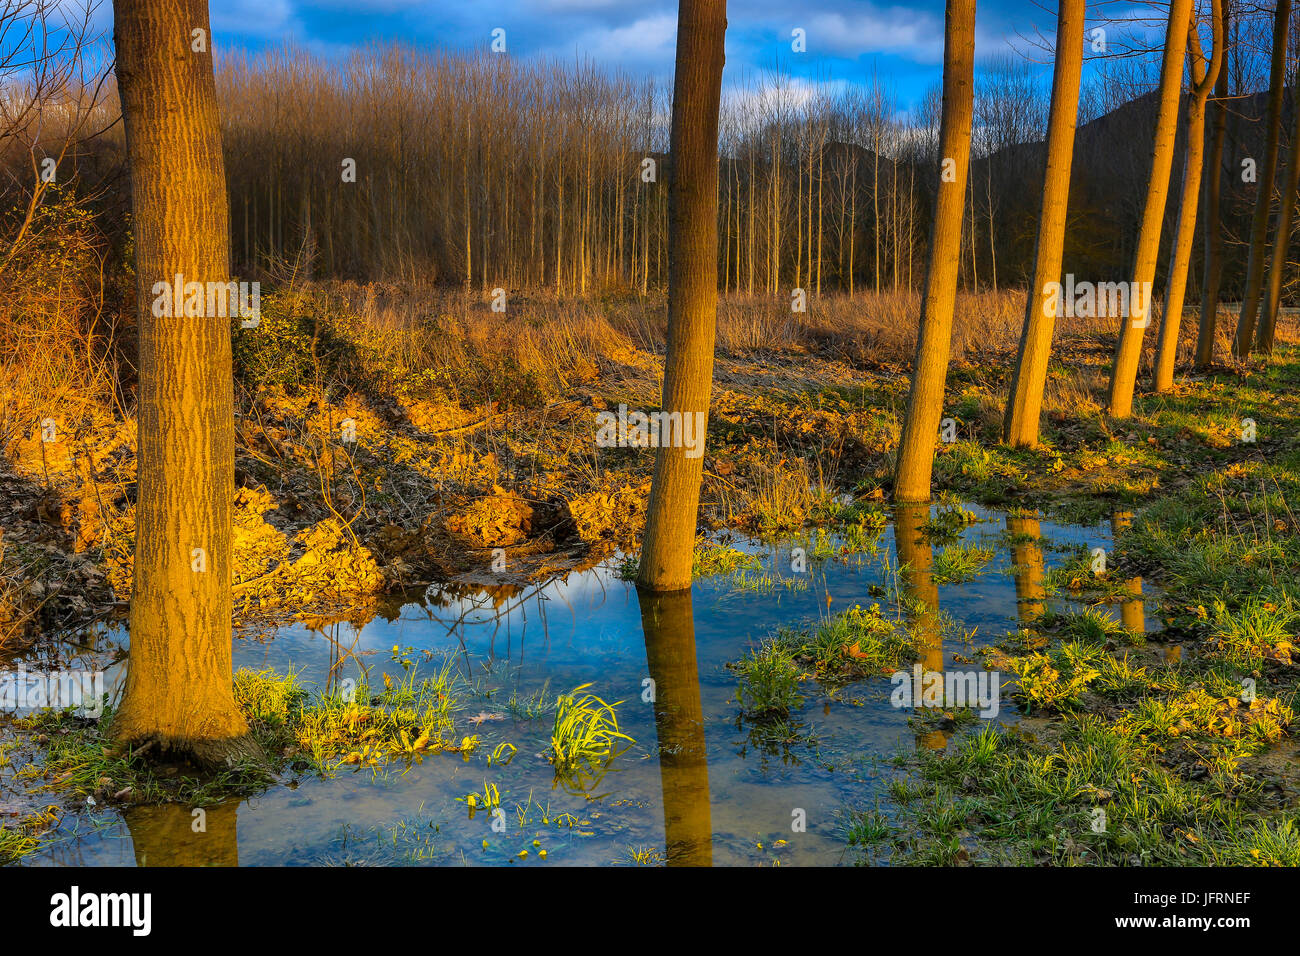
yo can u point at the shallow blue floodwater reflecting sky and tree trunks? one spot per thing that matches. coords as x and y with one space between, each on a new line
517 650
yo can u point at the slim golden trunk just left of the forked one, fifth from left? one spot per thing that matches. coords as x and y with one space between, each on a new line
1133 327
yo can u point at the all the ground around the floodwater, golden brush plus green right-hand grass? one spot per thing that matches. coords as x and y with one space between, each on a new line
375 455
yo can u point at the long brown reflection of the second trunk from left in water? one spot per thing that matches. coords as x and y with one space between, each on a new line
670 634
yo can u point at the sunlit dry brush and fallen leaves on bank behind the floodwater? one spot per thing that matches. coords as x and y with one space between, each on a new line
372 458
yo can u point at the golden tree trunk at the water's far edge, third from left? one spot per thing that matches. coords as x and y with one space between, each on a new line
926 399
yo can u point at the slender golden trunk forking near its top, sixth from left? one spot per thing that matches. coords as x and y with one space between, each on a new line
1203 81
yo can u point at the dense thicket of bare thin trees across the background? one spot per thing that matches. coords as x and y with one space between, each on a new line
480 170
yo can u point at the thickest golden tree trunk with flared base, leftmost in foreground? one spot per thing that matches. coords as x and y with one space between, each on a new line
179 685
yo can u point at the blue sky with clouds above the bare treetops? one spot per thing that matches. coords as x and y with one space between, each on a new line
847 40
